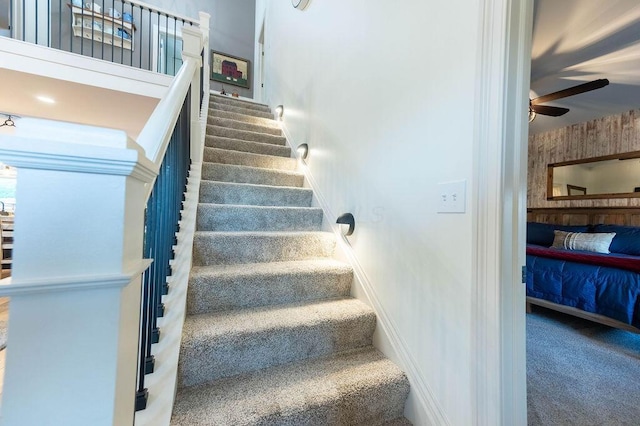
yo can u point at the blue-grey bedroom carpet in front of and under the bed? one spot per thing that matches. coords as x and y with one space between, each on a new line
581 373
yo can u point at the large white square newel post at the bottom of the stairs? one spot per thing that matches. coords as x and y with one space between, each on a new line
75 290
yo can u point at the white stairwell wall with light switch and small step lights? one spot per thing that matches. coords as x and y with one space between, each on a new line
384 93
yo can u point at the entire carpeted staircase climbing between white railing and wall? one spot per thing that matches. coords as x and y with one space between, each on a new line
272 336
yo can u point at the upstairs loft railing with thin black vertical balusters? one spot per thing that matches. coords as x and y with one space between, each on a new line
127 32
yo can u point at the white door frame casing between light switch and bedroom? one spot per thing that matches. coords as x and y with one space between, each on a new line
500 172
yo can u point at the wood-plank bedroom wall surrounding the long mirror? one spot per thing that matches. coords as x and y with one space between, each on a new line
604 136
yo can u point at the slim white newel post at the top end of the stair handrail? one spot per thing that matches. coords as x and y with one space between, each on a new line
192 47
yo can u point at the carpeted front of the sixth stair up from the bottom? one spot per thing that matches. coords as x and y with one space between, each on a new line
251 194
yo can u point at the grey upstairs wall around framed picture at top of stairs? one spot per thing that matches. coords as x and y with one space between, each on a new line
231 28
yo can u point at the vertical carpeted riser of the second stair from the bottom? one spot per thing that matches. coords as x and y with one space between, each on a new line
230 355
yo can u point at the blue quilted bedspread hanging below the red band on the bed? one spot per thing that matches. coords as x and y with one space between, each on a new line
603 290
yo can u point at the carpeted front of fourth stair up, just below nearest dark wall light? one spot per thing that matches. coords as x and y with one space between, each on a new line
226 248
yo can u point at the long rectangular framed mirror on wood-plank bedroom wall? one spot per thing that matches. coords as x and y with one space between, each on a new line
610 176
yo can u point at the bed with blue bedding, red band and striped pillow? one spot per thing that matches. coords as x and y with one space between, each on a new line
602 287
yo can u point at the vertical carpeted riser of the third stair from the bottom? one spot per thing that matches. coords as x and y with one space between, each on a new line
217 292
